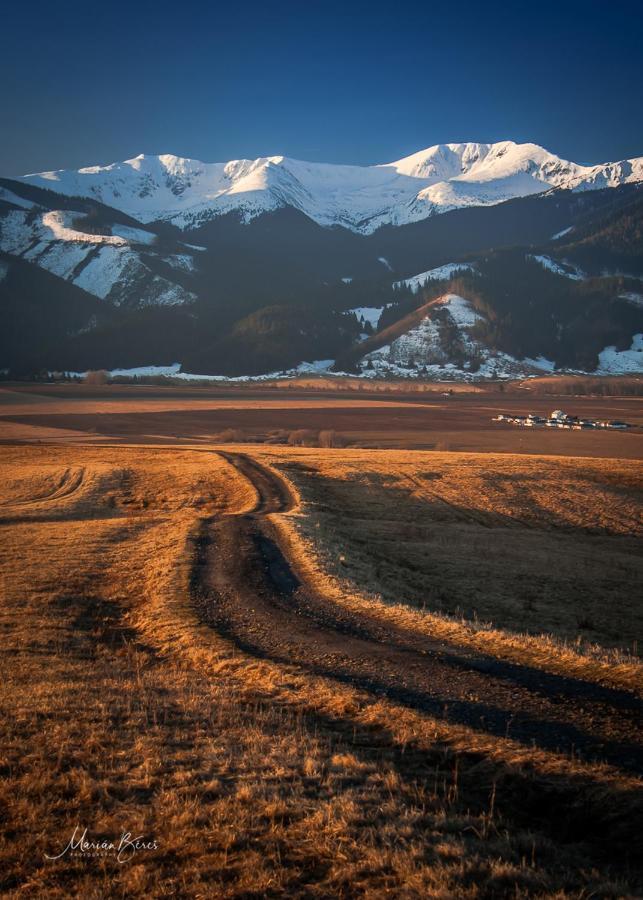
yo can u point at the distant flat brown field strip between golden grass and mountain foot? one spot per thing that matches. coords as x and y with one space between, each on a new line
387 418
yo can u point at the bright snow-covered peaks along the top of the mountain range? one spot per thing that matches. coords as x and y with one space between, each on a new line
188 193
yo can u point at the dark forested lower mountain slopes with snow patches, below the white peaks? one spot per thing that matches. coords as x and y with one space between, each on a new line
85 285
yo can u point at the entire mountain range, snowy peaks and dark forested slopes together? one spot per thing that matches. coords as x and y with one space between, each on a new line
475 259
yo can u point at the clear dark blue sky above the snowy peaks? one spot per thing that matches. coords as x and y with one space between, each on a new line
84 83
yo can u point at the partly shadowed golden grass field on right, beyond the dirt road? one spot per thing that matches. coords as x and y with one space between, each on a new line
534 559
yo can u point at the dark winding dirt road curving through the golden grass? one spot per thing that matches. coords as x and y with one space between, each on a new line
249 591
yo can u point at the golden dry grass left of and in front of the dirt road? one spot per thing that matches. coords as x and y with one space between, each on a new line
121 710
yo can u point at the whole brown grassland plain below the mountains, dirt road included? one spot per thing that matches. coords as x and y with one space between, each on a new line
315 672
